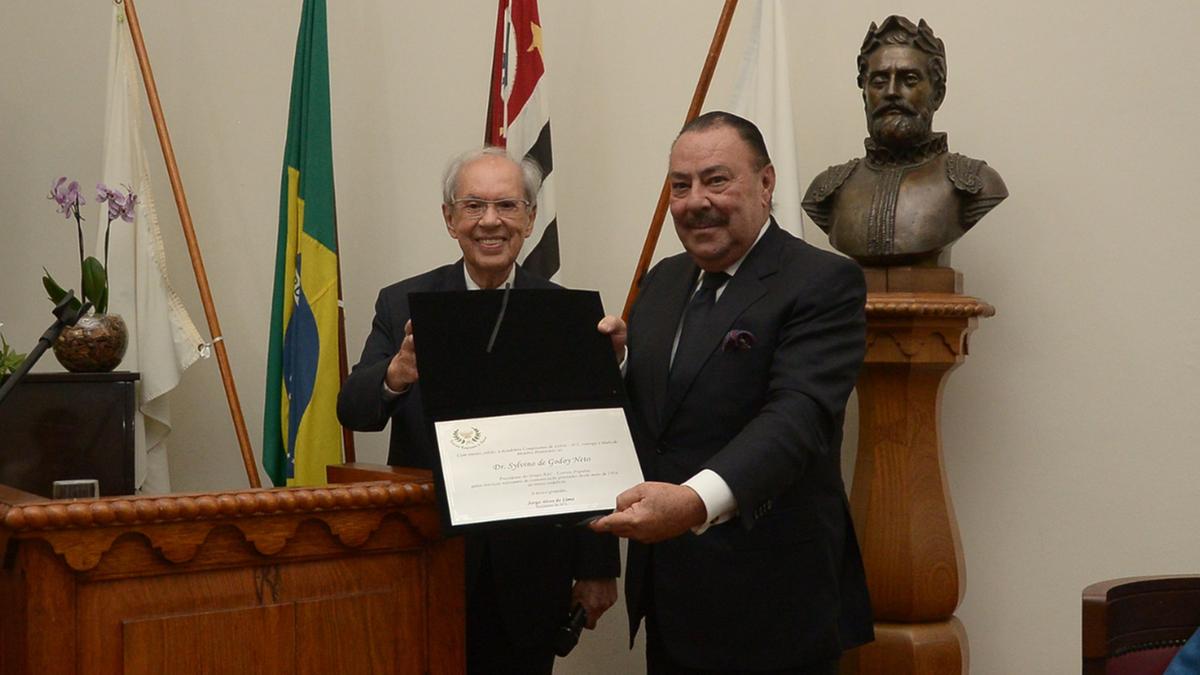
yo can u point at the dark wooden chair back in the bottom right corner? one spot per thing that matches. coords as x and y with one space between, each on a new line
1135 626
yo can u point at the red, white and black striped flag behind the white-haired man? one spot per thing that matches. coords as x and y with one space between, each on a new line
519 118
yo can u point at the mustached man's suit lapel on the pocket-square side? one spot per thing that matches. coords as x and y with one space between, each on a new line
745 290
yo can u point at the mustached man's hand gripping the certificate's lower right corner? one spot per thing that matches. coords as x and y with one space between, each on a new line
653 512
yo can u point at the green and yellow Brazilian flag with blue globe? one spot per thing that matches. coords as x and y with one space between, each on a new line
301 429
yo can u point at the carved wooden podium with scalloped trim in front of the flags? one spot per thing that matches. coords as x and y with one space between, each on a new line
343 580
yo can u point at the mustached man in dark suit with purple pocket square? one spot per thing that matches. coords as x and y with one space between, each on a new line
742 354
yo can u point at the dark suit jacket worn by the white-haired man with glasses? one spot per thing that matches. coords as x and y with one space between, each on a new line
533 568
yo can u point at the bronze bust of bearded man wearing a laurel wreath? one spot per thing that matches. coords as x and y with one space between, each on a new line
909 199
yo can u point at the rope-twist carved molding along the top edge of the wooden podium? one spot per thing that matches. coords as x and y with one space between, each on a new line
53 516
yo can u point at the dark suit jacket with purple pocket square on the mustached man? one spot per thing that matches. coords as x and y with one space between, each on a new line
781 586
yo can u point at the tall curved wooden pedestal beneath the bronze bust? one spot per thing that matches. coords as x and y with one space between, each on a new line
917 332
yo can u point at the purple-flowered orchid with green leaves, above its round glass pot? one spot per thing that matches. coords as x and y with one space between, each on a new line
93 273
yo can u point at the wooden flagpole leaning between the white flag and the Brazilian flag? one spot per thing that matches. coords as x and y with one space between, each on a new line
194 249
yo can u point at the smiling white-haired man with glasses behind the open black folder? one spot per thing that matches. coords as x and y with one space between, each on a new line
520 583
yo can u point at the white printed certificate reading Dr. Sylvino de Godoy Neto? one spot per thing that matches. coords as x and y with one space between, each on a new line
536 465
